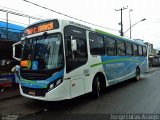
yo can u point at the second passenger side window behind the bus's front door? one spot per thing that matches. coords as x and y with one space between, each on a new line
110 47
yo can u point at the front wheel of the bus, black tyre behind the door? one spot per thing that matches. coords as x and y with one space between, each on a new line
96 87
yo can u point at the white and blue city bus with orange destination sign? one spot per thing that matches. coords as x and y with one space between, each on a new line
62 59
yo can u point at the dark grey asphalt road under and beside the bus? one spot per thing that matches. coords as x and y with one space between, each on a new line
129 97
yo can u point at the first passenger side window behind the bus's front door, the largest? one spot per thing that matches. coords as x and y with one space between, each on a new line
96 44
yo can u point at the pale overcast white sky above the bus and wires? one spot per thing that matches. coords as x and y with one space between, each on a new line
99 12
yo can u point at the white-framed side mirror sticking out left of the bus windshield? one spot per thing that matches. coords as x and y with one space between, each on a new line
15 47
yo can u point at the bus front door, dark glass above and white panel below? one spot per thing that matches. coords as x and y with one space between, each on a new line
76 58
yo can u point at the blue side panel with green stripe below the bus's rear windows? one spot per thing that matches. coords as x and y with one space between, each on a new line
120 68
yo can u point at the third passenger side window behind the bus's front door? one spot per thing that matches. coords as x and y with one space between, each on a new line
120 48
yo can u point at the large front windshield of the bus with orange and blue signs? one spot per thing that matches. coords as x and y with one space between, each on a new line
43 52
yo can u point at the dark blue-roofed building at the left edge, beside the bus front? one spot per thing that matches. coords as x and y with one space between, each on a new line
9 34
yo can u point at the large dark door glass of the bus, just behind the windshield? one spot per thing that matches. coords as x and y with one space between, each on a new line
77 58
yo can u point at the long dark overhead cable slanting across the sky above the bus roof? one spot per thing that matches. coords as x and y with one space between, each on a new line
67 15
